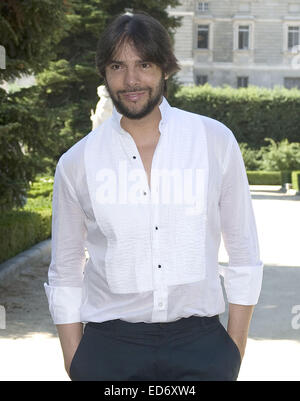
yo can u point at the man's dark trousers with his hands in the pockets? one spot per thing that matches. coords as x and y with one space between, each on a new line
189 349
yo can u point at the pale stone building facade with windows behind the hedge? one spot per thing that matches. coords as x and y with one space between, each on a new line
239 42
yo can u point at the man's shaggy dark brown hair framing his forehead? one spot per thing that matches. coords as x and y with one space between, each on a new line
148 36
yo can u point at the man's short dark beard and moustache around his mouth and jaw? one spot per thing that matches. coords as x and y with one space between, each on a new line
154 97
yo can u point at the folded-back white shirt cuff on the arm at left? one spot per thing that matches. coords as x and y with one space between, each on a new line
64 303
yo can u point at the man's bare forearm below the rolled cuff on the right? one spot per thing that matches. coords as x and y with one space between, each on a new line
238 325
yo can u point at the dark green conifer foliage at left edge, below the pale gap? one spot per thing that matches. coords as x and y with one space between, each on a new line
26 140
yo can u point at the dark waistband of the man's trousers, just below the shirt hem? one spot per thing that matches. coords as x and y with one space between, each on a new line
183 324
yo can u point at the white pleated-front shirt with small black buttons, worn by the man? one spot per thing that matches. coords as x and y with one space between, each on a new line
152 252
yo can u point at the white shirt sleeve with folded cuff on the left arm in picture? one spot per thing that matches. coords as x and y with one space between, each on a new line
65 275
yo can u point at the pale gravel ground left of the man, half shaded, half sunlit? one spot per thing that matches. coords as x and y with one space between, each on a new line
29 346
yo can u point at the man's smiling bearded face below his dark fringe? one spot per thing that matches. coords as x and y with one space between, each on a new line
136 86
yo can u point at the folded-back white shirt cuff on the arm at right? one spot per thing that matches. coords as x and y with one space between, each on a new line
242 283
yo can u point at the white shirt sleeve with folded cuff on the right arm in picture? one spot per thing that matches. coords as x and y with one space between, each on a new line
243 275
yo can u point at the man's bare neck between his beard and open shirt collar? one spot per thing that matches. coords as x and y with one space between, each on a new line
145 130
